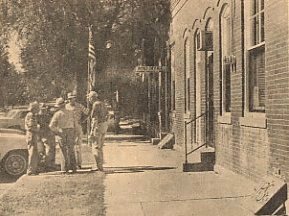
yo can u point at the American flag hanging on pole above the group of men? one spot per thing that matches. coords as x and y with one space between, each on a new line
91 62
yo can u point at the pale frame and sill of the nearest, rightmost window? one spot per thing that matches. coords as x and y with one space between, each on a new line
251 118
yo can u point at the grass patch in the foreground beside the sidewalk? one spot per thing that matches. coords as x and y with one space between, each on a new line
75 194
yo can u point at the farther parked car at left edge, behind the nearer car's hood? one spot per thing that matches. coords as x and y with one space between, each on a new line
14 119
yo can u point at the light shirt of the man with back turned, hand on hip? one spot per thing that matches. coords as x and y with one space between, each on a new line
62 119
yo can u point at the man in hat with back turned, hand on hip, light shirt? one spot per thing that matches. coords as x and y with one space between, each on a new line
62 124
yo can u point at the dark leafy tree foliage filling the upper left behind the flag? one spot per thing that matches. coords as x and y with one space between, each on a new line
54 37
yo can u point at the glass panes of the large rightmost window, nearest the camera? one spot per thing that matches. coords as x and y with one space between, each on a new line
256 57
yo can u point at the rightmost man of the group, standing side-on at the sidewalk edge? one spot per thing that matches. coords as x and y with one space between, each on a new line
99 115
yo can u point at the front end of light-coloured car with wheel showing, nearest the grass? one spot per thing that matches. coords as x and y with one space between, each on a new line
13 152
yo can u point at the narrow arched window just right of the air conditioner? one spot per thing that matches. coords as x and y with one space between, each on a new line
225 31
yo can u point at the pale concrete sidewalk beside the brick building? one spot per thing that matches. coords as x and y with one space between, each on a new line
144 180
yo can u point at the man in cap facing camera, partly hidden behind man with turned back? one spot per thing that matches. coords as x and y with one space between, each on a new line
77 110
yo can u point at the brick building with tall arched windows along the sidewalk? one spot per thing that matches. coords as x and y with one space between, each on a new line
229 65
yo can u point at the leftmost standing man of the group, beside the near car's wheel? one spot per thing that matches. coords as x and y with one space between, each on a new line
32 137
